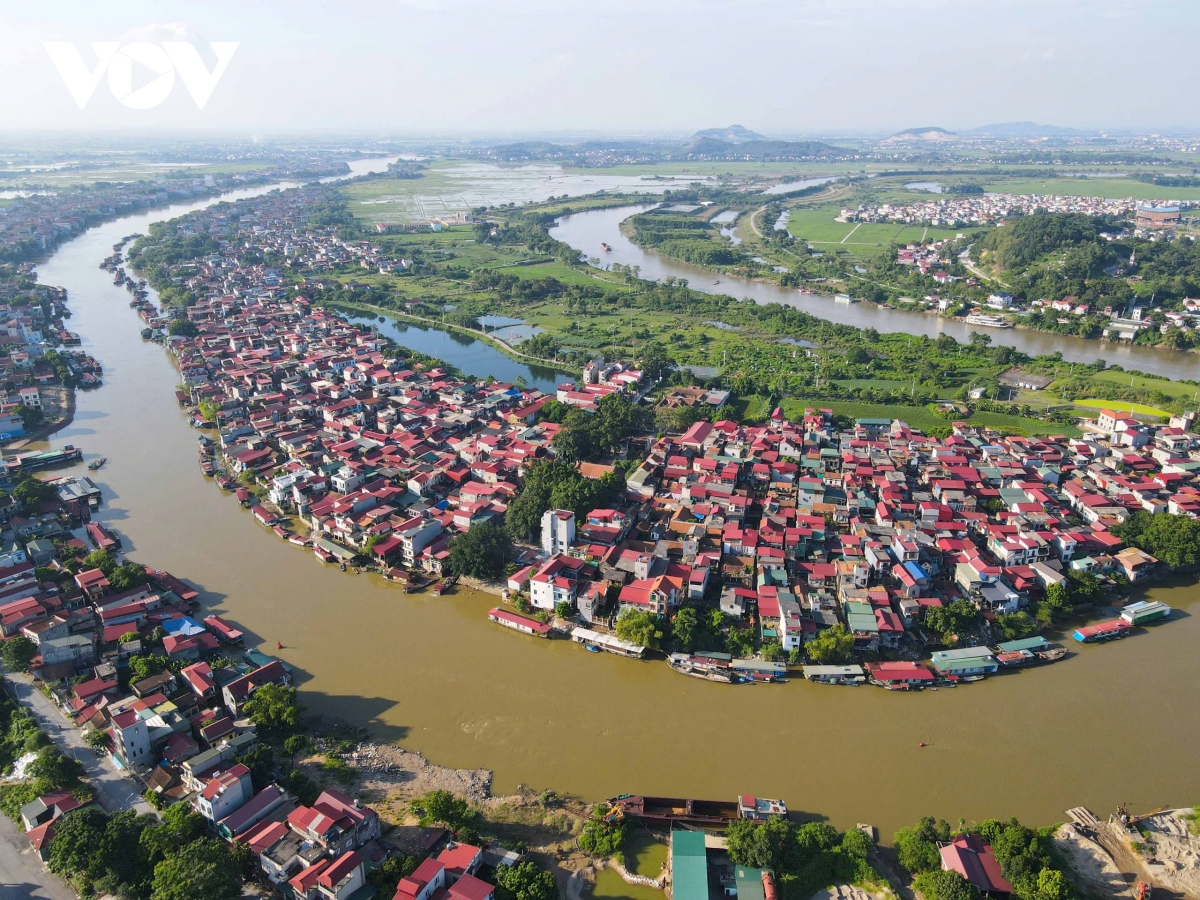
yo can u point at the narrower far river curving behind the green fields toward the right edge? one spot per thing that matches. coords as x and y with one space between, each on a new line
587 231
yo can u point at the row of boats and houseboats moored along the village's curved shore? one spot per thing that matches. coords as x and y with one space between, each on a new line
946 669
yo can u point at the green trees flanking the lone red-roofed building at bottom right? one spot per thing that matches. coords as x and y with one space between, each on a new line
1027 860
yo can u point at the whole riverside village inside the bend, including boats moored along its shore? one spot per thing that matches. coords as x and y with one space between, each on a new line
805 533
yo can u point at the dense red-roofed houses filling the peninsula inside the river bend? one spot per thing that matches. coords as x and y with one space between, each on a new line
796 526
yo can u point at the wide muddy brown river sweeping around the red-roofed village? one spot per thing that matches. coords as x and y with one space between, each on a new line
1109 724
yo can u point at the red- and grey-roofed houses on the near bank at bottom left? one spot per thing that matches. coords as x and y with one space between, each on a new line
184 733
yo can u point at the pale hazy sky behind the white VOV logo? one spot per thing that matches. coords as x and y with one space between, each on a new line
485 68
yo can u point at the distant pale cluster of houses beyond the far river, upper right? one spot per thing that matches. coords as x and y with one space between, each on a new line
965 211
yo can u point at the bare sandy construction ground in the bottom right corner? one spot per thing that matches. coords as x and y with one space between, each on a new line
1154 855
